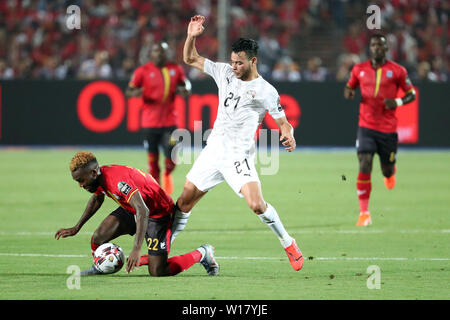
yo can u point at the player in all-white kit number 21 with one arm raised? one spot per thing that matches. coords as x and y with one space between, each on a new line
244 99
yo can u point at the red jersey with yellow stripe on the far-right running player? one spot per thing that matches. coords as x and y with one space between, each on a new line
377 85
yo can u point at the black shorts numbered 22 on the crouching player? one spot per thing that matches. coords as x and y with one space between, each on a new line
158 232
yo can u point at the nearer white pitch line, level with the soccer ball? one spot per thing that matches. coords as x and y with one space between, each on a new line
241 258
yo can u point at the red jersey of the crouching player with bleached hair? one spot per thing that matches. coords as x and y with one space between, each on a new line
120 183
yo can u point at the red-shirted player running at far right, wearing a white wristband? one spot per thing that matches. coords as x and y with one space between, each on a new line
379 80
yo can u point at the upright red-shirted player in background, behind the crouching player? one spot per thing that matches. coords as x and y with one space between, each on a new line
158 82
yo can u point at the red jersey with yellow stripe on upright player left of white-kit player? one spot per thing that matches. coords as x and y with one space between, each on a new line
159 91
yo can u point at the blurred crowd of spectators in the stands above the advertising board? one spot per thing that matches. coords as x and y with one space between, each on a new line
116 36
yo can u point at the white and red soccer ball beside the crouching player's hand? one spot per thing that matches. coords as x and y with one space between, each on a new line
109 258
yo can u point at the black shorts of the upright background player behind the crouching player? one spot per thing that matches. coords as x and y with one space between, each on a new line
159 137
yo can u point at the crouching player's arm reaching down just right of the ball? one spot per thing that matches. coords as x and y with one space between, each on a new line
142 212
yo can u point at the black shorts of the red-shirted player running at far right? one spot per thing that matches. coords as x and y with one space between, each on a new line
372 141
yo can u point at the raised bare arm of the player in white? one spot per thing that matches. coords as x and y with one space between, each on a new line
190 54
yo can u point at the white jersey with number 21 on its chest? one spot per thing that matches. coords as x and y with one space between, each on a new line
242 107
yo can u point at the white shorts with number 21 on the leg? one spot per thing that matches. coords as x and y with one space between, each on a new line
213 167
